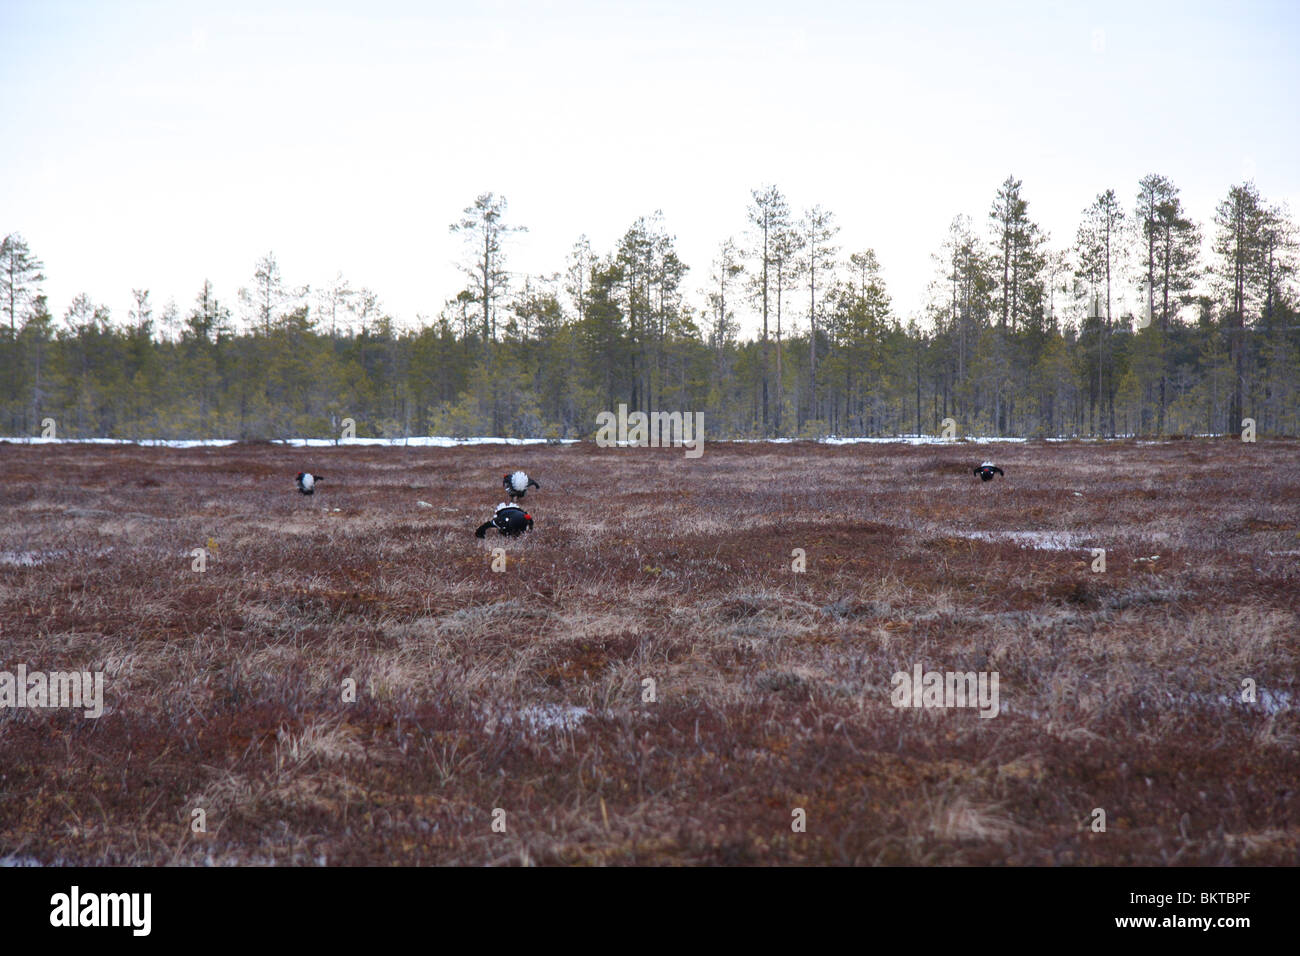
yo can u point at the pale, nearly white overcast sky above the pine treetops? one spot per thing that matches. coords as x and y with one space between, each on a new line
155 145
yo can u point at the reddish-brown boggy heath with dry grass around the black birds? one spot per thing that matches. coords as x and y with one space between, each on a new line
223 690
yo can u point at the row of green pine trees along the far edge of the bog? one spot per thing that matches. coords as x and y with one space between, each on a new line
1139 326
